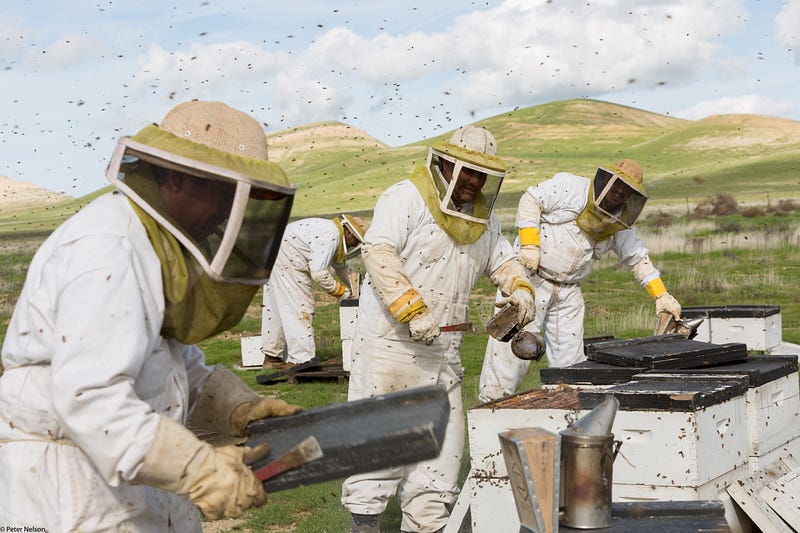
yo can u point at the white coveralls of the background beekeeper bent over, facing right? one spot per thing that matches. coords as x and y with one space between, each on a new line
306 253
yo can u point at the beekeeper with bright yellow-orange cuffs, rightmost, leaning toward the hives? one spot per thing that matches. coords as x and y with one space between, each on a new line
564 223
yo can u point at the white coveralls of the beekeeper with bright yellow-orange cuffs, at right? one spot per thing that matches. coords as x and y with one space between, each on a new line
566 260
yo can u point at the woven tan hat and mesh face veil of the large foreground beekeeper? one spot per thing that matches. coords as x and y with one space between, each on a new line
211 188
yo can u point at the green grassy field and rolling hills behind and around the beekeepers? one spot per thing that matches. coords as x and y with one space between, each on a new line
742 247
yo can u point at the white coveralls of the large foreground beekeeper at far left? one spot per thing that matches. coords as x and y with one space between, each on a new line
87 377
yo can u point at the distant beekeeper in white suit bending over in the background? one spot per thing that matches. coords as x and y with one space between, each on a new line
311 248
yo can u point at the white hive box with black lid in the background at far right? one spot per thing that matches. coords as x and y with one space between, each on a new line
759 326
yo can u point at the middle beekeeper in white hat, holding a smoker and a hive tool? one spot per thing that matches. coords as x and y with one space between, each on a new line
431 237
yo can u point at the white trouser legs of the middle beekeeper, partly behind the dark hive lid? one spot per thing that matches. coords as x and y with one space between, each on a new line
424 489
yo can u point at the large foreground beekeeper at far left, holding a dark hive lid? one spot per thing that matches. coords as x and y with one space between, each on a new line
102 376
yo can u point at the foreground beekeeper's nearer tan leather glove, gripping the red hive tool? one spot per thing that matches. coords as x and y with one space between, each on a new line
217 480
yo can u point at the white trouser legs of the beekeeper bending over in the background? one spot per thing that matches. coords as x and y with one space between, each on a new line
287 330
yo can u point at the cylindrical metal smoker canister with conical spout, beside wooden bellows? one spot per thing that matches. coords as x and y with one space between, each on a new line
588 451
